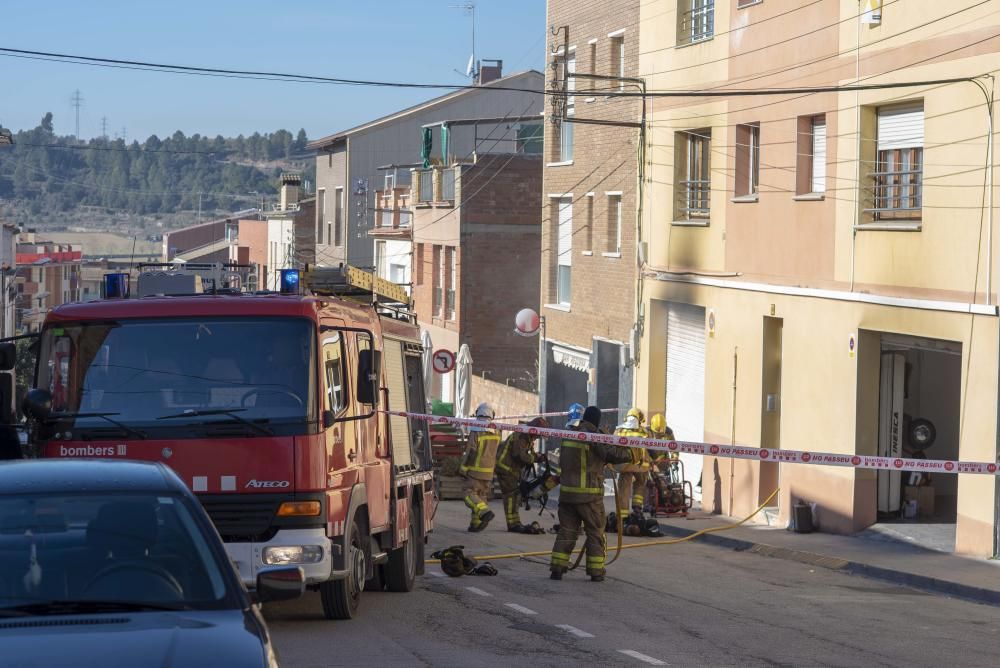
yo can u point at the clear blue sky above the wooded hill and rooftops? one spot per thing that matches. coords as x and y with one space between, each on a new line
397 40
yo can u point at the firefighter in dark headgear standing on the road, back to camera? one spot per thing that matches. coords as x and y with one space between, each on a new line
581 497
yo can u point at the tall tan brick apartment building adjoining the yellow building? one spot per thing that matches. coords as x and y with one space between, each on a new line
589 223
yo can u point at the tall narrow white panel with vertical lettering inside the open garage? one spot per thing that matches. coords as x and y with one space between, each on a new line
892 385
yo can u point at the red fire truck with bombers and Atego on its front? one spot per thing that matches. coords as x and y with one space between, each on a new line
269 405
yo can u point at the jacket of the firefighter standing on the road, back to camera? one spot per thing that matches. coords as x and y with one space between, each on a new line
582 467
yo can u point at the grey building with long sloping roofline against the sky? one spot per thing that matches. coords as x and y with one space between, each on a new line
348 163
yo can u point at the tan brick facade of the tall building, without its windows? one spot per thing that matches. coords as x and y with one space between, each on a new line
604 161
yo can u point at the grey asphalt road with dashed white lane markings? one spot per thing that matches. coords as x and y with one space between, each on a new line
688 604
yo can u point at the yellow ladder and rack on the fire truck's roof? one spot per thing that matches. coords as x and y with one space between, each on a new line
352 283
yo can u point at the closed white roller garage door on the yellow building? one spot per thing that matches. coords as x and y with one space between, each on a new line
686 381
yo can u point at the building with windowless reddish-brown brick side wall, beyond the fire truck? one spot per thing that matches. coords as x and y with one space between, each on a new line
476 236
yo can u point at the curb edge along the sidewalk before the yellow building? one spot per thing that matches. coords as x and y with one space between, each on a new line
922 582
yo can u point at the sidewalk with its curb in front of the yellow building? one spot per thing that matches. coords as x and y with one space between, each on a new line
967 578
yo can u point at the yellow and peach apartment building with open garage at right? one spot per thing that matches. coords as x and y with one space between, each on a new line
822 267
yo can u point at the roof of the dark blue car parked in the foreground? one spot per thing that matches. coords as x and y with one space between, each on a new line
52 476
